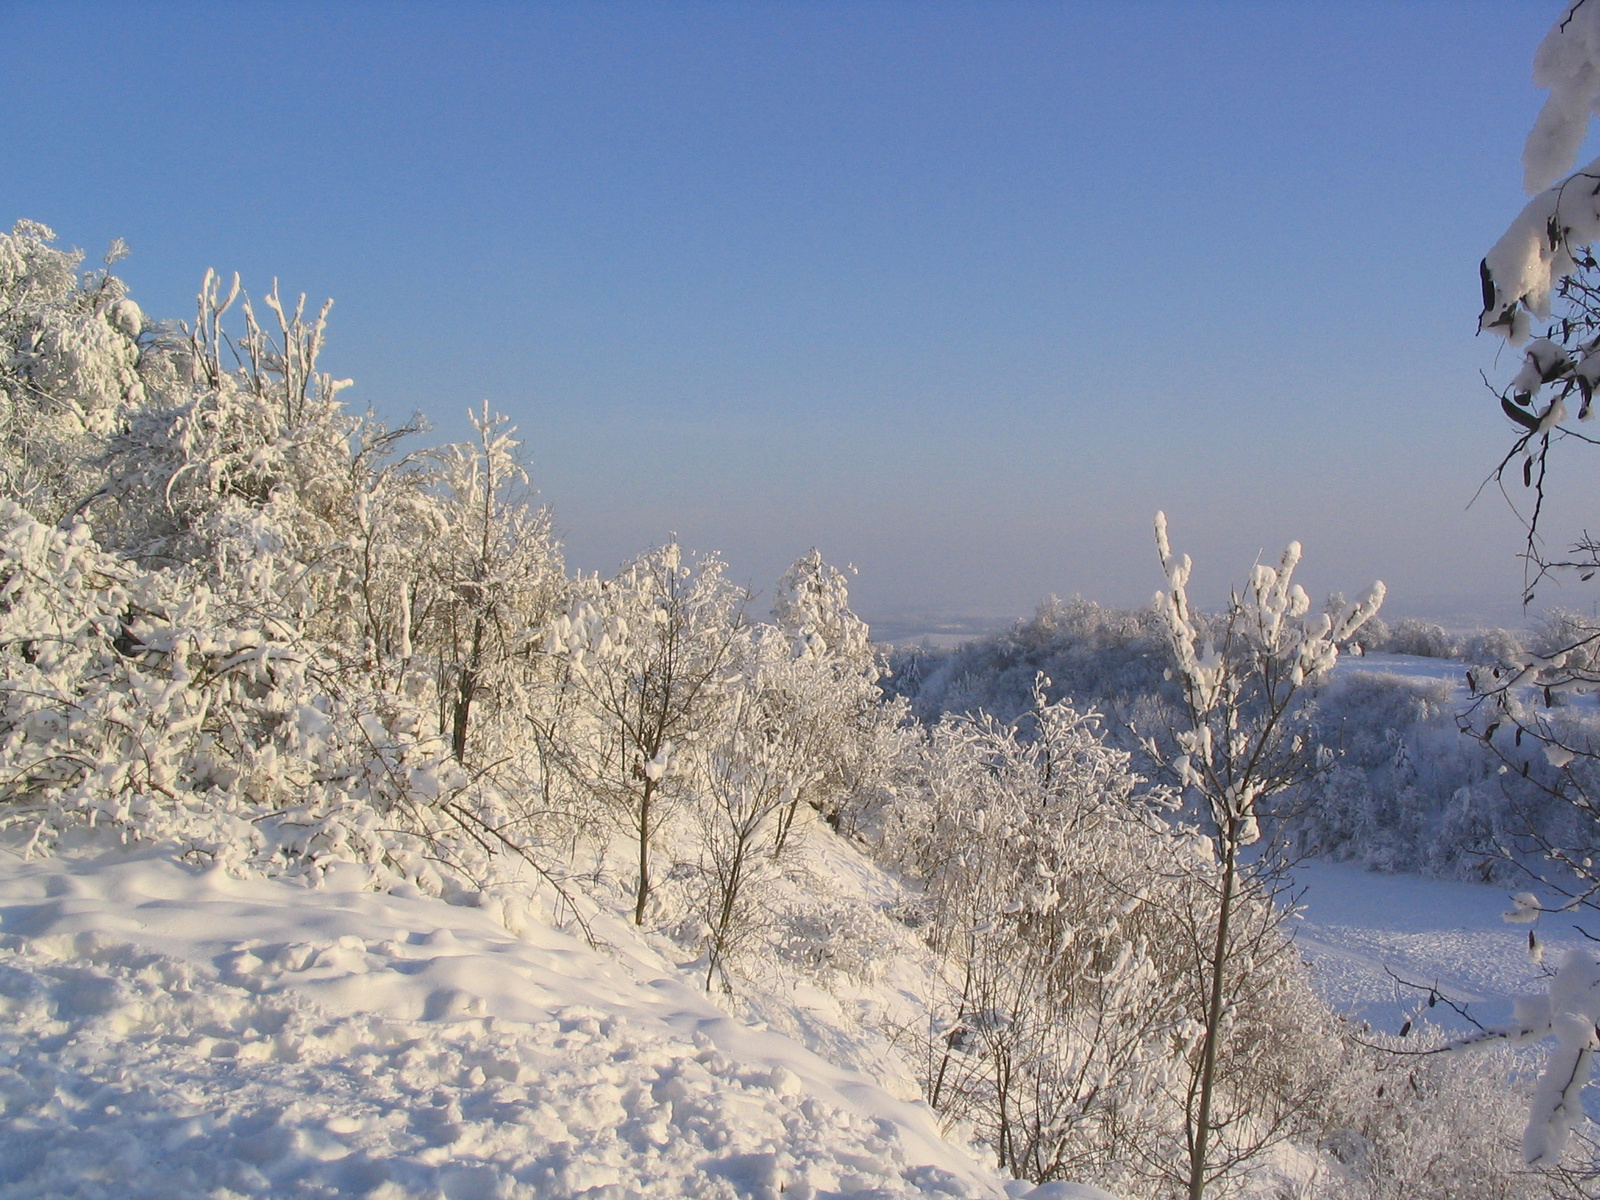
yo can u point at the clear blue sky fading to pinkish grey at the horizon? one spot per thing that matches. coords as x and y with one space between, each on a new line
958 292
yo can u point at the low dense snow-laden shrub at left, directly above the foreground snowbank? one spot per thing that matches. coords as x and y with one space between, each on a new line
169 708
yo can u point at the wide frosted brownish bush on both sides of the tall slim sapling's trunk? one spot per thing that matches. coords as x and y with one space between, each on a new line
1073 918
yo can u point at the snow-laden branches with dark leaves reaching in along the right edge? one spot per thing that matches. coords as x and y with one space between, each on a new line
1543 279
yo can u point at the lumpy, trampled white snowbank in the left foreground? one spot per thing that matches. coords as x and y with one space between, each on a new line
180 1033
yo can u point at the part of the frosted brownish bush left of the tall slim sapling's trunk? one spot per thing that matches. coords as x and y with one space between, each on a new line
1057 1030
